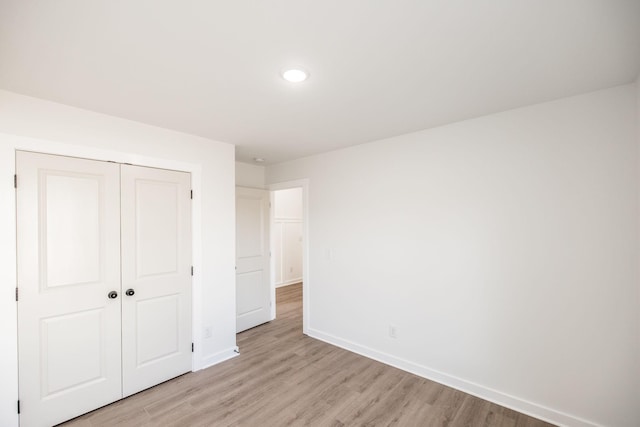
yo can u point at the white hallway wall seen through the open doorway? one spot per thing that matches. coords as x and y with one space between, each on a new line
287 220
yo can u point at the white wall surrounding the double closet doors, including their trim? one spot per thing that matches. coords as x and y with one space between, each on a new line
37 125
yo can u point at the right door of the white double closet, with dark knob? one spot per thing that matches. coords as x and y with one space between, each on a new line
156 276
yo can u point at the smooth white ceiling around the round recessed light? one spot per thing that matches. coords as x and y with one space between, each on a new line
378 68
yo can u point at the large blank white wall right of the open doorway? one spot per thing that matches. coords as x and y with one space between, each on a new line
504 249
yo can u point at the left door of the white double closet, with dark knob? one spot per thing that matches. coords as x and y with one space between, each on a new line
68 234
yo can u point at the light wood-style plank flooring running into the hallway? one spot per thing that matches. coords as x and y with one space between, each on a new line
284 378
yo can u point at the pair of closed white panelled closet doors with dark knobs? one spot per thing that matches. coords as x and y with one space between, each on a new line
84 341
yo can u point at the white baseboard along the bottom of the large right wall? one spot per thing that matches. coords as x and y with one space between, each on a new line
530 408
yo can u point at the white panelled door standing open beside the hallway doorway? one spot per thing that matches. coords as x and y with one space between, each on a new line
253 290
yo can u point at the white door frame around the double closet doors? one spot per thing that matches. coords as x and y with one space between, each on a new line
11 144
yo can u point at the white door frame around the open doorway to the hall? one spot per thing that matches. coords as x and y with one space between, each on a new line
306 284
